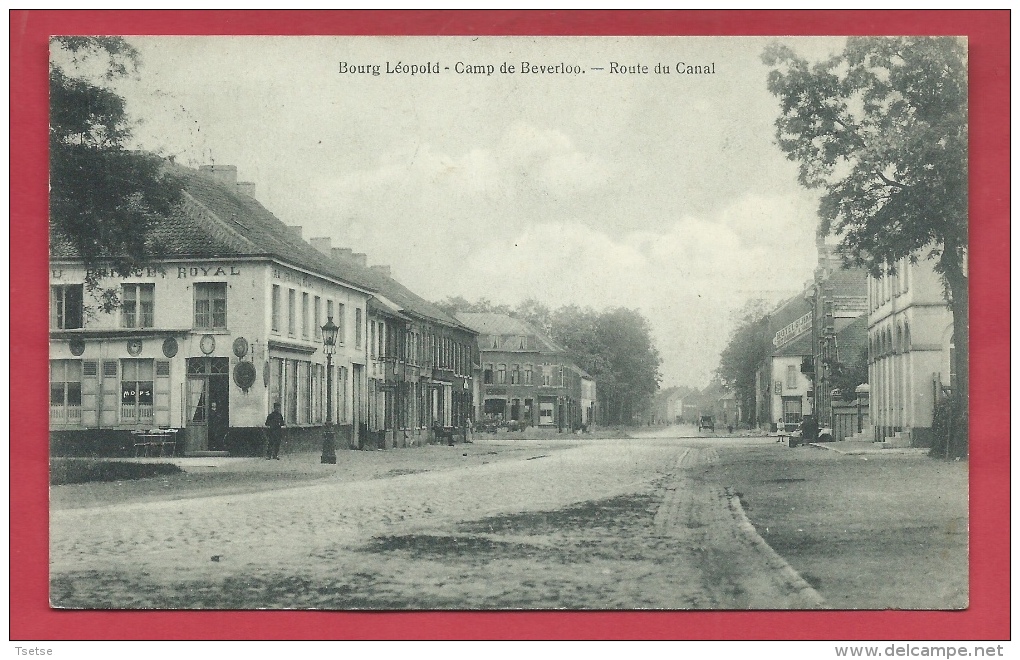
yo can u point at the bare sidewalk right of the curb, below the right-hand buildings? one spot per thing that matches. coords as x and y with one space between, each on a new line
878 530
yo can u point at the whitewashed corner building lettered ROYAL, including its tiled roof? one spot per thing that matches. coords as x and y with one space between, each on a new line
223 326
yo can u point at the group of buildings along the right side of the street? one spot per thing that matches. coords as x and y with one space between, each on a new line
896 329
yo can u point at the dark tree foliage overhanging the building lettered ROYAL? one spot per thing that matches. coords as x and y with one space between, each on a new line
105 197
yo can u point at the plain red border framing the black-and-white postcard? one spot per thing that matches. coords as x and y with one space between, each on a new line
989 616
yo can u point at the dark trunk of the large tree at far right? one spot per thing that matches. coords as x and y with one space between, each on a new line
959 299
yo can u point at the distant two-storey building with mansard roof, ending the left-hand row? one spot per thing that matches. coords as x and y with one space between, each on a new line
527 378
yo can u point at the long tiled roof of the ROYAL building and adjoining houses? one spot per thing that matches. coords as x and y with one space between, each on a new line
218 222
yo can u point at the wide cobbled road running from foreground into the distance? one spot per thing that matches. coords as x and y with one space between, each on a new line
544 525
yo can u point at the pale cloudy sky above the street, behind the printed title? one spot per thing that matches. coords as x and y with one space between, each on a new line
658 192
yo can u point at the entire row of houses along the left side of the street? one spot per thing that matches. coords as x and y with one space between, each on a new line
227 322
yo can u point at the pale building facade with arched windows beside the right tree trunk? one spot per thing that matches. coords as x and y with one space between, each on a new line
910 364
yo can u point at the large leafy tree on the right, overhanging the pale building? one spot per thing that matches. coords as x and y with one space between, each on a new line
881 130
